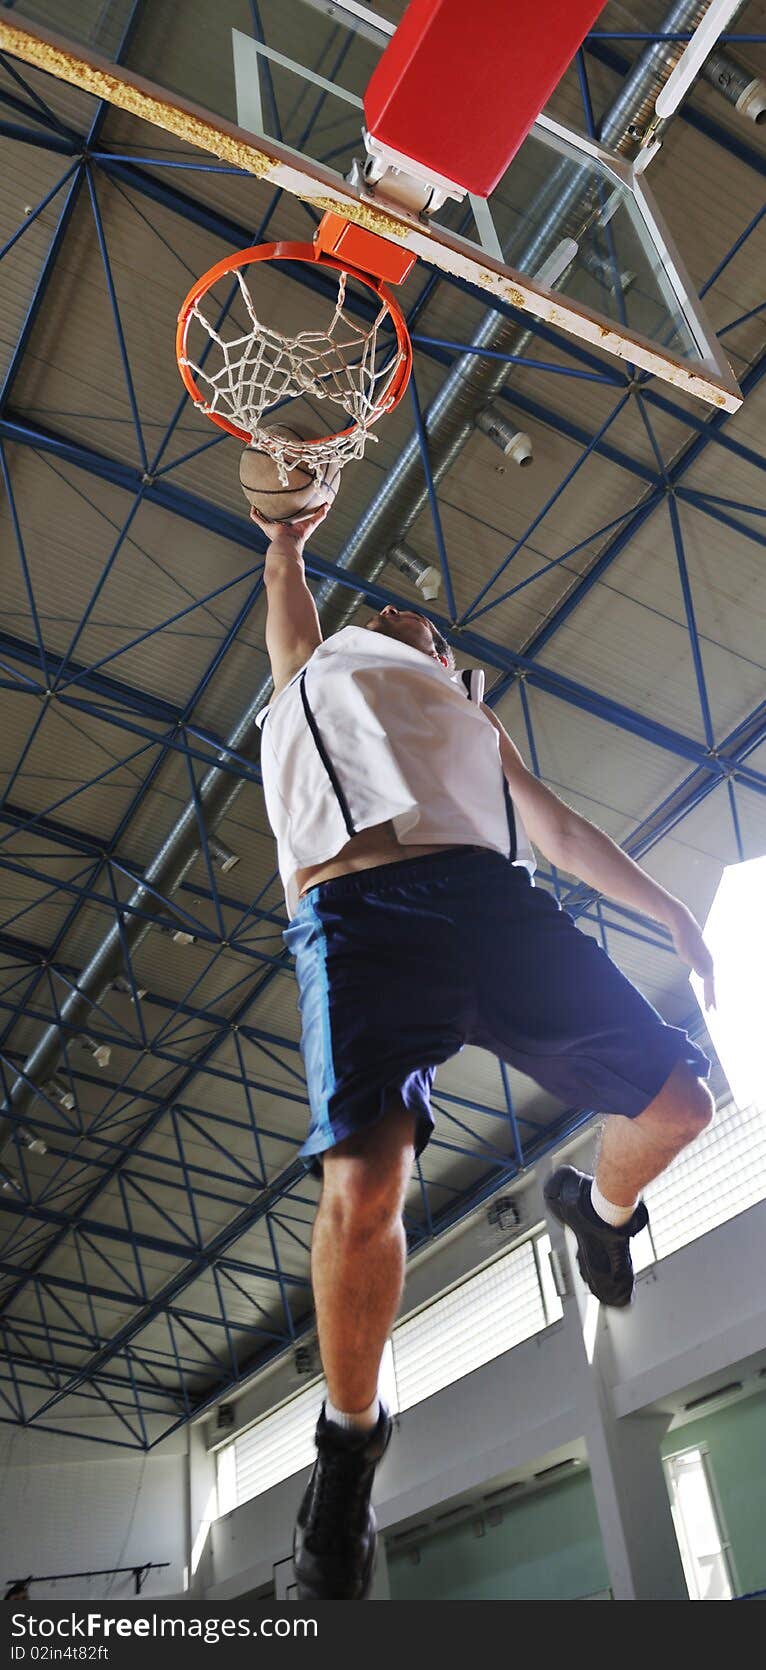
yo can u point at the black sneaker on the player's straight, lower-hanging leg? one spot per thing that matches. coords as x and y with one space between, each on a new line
336 1534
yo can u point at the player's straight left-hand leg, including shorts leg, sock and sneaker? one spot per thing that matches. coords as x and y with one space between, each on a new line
381 979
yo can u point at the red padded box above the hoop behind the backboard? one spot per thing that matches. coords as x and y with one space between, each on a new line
463 81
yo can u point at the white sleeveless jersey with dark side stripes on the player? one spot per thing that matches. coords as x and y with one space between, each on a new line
376 732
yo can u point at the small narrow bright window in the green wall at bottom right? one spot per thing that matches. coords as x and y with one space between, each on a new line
698 1531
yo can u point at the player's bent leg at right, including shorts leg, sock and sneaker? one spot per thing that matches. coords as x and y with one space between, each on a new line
553 1005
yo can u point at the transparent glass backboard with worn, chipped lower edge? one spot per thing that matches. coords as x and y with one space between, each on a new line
275 88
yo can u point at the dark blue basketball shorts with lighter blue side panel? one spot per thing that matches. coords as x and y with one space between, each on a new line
405 964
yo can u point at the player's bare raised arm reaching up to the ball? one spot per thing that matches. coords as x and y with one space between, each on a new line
293 629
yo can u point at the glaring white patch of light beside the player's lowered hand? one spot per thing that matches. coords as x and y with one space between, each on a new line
737 934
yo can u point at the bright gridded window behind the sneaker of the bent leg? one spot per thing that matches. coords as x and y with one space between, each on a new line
712 1182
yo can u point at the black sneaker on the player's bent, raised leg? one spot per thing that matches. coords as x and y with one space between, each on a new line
603 1252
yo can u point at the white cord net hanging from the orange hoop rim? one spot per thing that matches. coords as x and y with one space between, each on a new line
343 367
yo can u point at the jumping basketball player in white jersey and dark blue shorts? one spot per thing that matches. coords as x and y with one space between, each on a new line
405 819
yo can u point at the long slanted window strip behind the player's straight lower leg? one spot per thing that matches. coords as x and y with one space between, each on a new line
486 1315
